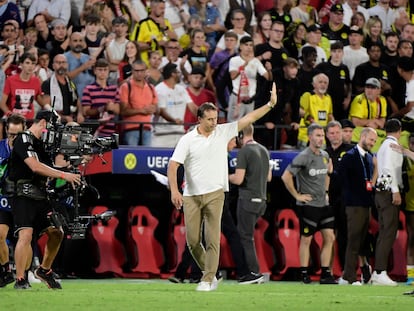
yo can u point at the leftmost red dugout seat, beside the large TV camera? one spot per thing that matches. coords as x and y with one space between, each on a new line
110 252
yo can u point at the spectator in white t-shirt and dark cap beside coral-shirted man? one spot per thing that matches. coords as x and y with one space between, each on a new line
173 100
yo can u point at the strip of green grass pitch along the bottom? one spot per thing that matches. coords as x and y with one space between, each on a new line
123 294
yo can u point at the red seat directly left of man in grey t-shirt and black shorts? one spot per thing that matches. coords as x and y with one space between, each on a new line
288 239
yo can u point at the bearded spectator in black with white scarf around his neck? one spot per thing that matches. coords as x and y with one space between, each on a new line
61 92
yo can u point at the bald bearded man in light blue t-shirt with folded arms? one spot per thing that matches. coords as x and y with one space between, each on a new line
79 64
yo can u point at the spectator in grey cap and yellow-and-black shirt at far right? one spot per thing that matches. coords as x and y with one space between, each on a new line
369 108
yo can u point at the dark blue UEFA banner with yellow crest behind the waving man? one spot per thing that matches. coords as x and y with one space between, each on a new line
144 160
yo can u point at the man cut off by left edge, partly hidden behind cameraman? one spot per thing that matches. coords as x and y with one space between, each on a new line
15 123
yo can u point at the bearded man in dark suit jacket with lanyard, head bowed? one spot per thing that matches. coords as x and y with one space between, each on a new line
357 170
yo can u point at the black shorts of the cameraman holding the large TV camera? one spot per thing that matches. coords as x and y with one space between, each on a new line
29 213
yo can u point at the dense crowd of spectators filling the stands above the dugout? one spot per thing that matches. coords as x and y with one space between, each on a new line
142 68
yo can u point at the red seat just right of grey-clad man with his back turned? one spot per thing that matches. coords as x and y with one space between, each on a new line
264 250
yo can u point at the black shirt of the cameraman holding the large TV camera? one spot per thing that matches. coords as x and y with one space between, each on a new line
27 145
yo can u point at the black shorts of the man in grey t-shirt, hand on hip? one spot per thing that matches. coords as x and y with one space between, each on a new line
313 219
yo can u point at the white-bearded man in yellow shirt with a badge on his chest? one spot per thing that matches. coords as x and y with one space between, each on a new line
315 107
